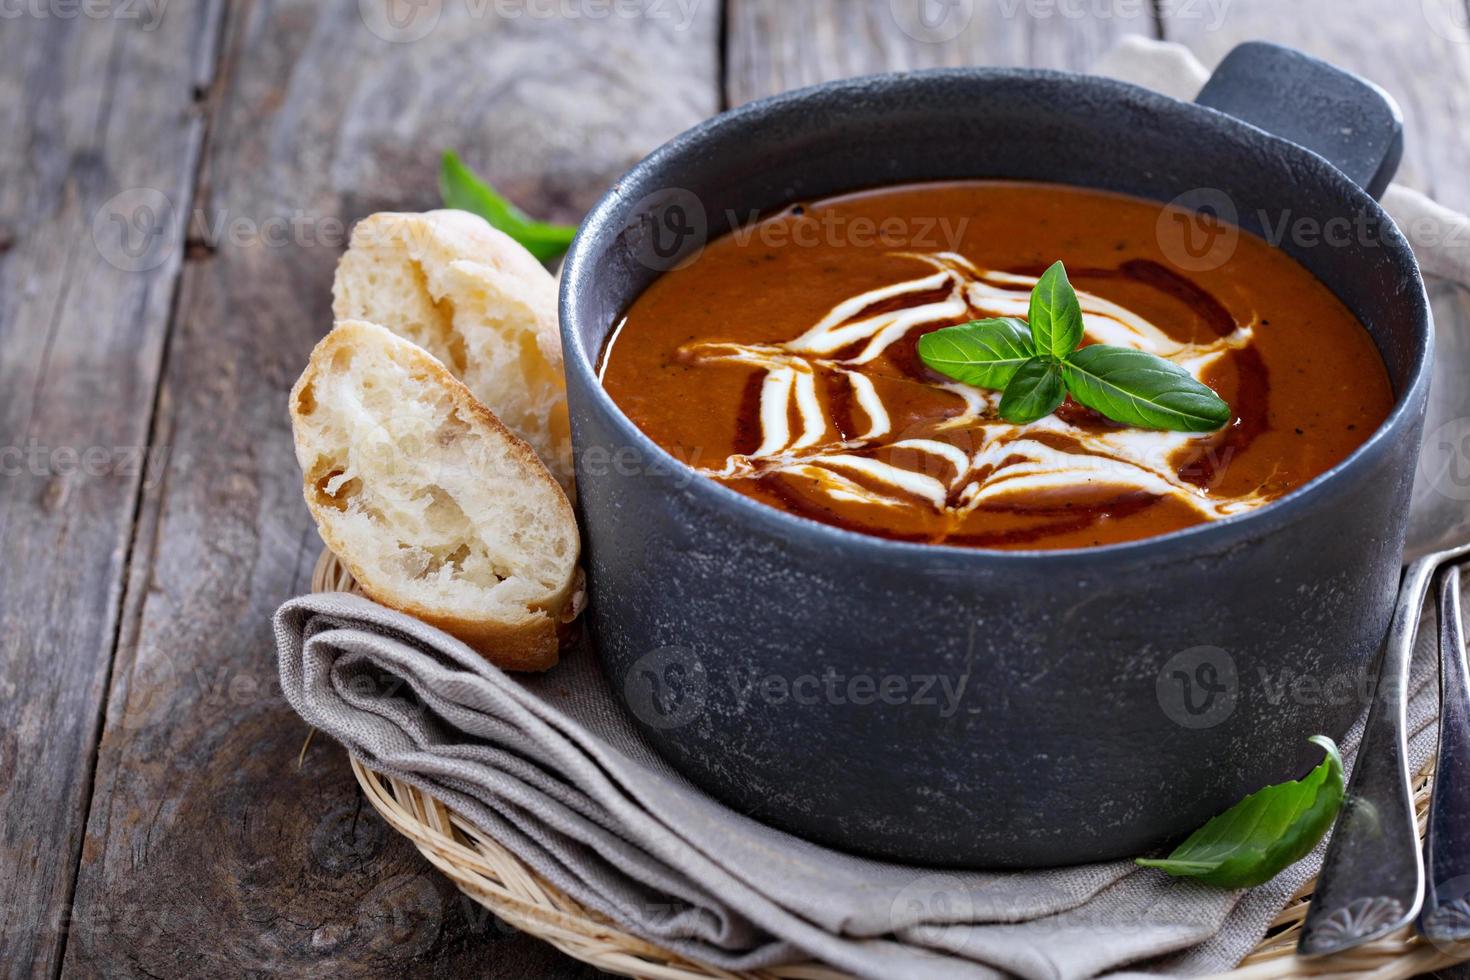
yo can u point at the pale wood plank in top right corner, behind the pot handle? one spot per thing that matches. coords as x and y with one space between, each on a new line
1419 52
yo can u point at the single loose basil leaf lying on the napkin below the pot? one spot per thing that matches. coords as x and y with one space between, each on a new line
1269 831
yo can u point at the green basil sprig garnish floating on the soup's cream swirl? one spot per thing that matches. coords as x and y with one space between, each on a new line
1039 362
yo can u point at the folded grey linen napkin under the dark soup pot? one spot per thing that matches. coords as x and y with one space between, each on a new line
552 768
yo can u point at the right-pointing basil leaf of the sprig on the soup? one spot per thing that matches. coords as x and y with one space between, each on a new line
1143 390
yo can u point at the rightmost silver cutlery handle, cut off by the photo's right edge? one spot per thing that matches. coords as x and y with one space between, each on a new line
1447 846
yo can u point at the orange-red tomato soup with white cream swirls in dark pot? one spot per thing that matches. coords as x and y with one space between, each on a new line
784 364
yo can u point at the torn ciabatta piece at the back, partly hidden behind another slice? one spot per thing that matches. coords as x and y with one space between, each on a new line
477 300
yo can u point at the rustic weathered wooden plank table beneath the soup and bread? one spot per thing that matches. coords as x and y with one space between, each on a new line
176 181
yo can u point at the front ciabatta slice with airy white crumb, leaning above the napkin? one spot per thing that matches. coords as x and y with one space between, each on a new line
430 502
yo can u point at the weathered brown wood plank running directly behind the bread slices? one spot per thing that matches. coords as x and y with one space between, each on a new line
208 850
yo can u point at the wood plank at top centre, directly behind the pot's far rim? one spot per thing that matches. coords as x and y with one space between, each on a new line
775 45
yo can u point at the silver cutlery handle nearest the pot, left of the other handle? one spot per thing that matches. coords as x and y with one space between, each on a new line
1372 879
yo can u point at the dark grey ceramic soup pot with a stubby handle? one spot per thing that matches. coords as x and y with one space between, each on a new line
962 707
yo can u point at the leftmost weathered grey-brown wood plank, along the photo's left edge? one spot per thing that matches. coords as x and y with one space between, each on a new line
96 173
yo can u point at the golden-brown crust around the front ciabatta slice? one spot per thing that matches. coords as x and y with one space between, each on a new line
528 644
